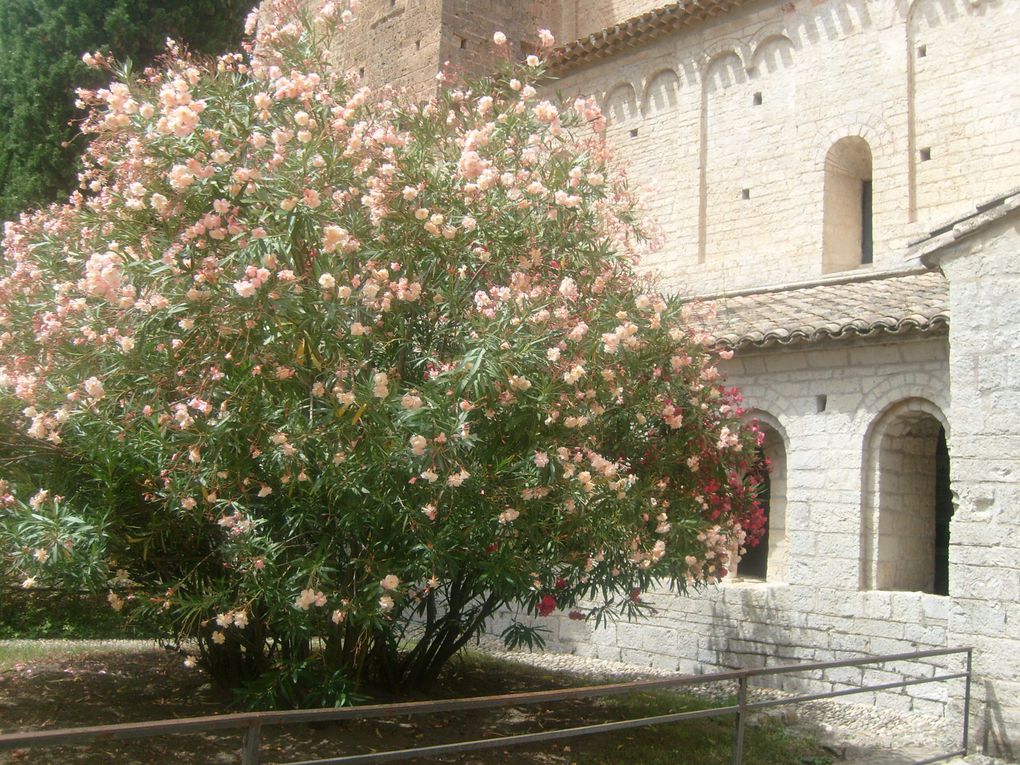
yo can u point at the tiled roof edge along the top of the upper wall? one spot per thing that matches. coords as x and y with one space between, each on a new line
639 30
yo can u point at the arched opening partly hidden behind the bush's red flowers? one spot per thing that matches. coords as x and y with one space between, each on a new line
768 560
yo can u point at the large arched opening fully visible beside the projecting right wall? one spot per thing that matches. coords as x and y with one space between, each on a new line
912 503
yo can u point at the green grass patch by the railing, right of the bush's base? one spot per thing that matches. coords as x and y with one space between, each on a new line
703 741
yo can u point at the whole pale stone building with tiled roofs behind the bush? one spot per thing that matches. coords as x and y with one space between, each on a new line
836 185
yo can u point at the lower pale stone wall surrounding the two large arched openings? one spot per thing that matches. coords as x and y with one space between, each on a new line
815 605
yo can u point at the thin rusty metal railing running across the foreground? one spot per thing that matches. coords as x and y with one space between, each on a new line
253 723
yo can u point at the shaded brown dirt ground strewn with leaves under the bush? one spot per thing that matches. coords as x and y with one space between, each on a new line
119 688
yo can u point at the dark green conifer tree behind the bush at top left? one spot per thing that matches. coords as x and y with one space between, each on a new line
41 47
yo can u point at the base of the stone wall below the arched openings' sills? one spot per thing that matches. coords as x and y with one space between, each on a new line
748 626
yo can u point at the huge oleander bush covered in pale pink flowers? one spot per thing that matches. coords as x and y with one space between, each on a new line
320 379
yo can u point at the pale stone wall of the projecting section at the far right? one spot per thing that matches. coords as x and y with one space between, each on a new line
985 443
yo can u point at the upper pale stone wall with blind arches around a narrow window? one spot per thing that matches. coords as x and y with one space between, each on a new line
734 160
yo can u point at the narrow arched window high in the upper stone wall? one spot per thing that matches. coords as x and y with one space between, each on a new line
847 238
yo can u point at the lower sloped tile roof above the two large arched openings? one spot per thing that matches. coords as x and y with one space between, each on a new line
890 304
